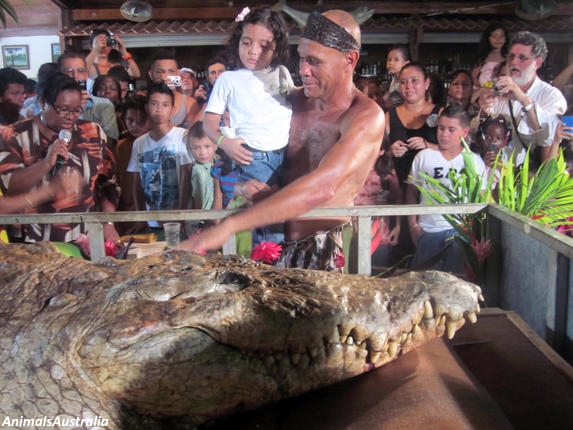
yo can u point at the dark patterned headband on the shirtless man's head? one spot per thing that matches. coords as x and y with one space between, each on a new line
326 32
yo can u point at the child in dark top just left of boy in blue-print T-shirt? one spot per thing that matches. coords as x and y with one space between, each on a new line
137 124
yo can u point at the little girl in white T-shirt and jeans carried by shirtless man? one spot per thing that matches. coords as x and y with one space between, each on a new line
255 96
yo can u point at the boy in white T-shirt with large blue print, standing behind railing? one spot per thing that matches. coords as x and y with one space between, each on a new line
159 158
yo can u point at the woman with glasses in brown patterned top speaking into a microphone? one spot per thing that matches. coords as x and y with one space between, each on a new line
56 143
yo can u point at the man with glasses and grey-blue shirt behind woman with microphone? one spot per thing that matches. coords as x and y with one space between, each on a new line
96 109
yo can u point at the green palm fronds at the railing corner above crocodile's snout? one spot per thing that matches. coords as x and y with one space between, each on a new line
545 195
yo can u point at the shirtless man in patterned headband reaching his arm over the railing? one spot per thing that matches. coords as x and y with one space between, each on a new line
335 139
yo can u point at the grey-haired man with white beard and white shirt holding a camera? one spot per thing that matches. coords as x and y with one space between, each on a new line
533 106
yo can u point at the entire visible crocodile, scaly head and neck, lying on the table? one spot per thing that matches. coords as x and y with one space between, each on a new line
185 338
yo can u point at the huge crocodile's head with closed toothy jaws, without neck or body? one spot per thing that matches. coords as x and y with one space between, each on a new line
178 334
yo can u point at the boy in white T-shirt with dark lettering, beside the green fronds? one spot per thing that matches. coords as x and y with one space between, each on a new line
432 232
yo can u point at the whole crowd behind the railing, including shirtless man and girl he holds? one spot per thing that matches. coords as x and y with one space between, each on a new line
83 139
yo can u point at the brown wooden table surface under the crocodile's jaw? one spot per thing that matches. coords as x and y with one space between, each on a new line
495 374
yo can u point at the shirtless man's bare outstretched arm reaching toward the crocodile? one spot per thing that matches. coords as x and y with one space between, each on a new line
340 174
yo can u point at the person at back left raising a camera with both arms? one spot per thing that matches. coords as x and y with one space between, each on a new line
102 42
